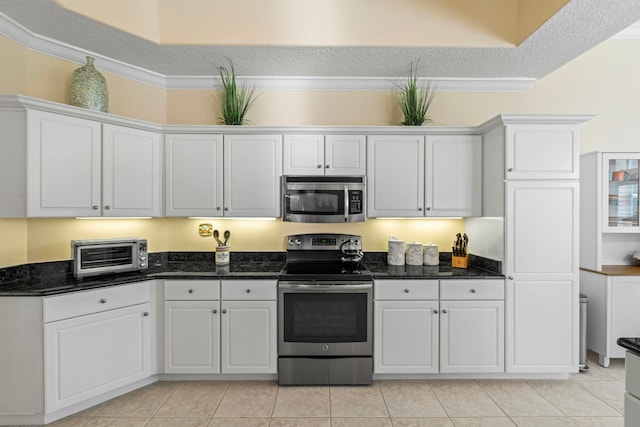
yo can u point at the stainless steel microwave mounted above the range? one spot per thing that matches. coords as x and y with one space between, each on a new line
323 199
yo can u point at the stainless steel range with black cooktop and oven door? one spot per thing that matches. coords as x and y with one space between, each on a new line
325 316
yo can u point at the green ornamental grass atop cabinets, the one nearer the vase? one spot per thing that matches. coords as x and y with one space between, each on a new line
234 99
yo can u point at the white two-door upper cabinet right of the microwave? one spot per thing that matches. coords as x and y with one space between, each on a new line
405 182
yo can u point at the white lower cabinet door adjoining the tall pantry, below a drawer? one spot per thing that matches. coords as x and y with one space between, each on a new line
472 336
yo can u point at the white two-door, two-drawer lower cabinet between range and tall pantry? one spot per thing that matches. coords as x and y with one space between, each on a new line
431 326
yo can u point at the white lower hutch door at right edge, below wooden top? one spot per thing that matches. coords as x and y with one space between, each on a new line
625 322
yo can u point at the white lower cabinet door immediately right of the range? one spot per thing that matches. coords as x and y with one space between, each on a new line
405 337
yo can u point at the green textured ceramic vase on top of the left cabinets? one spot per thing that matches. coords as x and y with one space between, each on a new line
89 88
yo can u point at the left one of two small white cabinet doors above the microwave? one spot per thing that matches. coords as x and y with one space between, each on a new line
303 155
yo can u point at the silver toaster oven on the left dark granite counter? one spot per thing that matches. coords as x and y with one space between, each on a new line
108 256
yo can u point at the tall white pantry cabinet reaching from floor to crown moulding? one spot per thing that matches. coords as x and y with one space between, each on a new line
531 172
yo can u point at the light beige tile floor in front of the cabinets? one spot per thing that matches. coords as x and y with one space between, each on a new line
594 398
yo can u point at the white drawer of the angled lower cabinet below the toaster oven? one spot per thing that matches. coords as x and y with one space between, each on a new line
95 301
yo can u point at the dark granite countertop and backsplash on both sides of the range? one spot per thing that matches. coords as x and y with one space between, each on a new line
52 278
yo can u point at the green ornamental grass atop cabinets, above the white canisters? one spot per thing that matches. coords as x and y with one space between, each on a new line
415 99
